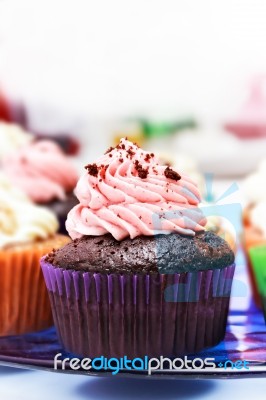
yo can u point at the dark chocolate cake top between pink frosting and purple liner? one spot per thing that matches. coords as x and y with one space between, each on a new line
172 253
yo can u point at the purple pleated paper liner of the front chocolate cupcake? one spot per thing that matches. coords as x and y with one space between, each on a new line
136 315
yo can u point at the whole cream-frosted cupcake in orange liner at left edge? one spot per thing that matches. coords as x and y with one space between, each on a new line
27 232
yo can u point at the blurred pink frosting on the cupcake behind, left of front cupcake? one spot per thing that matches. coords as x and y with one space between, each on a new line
42 171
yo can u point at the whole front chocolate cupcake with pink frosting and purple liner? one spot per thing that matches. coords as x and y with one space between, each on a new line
141 276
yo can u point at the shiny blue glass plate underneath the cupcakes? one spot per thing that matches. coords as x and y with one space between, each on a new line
245 340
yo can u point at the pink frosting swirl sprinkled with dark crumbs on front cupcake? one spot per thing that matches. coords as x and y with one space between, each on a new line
127 193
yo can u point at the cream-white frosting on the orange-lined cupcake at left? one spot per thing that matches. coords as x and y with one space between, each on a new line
20 220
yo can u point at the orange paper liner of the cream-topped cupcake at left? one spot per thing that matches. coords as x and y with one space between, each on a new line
24 302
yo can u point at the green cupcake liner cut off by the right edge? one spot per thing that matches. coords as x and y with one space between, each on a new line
258 261
